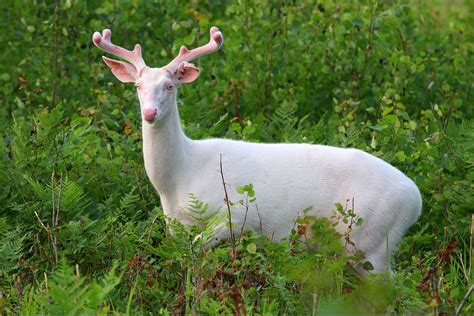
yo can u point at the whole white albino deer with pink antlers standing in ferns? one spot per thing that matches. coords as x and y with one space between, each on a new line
288 178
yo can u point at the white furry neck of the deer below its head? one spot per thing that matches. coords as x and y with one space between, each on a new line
164 150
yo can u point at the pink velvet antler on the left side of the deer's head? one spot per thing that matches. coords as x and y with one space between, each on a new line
134 57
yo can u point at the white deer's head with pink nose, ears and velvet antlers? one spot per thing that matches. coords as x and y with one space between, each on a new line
156 87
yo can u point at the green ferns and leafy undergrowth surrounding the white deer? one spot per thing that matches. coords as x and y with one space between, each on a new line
81 228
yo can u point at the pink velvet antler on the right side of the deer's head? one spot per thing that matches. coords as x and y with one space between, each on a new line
216 41
